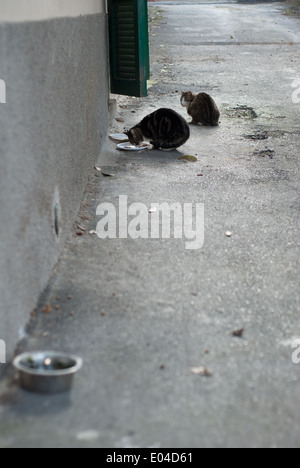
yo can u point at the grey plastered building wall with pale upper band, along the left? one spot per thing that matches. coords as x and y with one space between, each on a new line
55 71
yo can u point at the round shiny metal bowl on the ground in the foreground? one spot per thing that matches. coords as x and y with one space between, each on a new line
47 371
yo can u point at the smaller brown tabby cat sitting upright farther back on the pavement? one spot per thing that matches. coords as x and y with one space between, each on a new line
202 108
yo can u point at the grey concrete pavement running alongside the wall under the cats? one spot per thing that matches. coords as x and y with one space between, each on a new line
142 313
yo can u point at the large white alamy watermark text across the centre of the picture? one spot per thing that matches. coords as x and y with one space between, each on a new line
161 221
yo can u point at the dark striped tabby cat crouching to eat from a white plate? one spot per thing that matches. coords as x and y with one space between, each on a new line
165 129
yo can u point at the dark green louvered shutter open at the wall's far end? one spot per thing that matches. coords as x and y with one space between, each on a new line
129 46
